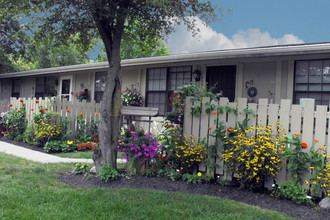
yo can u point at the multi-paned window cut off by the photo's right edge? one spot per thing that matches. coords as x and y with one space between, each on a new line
312 80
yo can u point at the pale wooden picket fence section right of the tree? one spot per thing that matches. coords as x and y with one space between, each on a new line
294 119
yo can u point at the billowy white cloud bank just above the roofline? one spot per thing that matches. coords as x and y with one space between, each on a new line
182 41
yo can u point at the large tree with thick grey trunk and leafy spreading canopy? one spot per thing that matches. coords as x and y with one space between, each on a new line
114 21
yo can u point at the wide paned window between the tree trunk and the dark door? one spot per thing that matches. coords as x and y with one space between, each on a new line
162 82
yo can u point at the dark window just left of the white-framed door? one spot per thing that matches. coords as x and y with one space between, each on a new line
45 87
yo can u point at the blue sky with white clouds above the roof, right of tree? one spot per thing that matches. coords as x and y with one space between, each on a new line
254 23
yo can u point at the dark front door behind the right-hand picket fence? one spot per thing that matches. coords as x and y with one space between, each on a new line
223 80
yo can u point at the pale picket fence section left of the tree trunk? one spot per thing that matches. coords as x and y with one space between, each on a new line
66 109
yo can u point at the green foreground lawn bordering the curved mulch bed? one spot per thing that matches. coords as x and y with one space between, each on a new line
30 190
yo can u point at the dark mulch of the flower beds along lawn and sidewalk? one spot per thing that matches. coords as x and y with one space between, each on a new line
262 200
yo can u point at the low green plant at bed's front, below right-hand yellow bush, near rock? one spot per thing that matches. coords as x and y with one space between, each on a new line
293 191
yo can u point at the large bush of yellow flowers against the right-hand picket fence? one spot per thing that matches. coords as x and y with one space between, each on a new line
253 158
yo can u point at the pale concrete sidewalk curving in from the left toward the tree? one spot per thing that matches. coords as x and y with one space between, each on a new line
36 155
